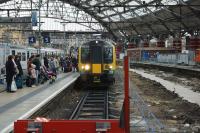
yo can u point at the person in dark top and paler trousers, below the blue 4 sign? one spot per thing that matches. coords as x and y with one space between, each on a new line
37 63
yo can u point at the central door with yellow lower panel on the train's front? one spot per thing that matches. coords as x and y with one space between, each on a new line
96 59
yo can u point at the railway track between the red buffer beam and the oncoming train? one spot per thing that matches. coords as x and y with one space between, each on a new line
94 105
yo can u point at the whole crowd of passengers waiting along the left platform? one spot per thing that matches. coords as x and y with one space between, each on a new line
37 72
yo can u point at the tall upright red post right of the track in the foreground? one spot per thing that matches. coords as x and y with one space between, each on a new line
126 92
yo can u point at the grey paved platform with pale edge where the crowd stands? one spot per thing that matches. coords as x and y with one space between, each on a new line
23 103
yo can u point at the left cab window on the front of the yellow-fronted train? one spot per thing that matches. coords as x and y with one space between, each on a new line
85 55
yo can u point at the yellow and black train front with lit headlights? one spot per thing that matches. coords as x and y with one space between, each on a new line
97 62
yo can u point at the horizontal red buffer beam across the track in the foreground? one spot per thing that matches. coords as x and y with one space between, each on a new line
68 126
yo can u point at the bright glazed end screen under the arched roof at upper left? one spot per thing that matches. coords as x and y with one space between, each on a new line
53 9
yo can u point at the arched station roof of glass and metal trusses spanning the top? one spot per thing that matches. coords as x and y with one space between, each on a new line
119 17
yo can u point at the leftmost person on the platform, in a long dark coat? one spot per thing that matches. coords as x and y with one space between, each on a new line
10 72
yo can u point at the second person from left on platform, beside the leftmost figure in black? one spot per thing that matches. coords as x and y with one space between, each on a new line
19 79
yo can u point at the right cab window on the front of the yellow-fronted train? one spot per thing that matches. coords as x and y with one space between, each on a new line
108 55
